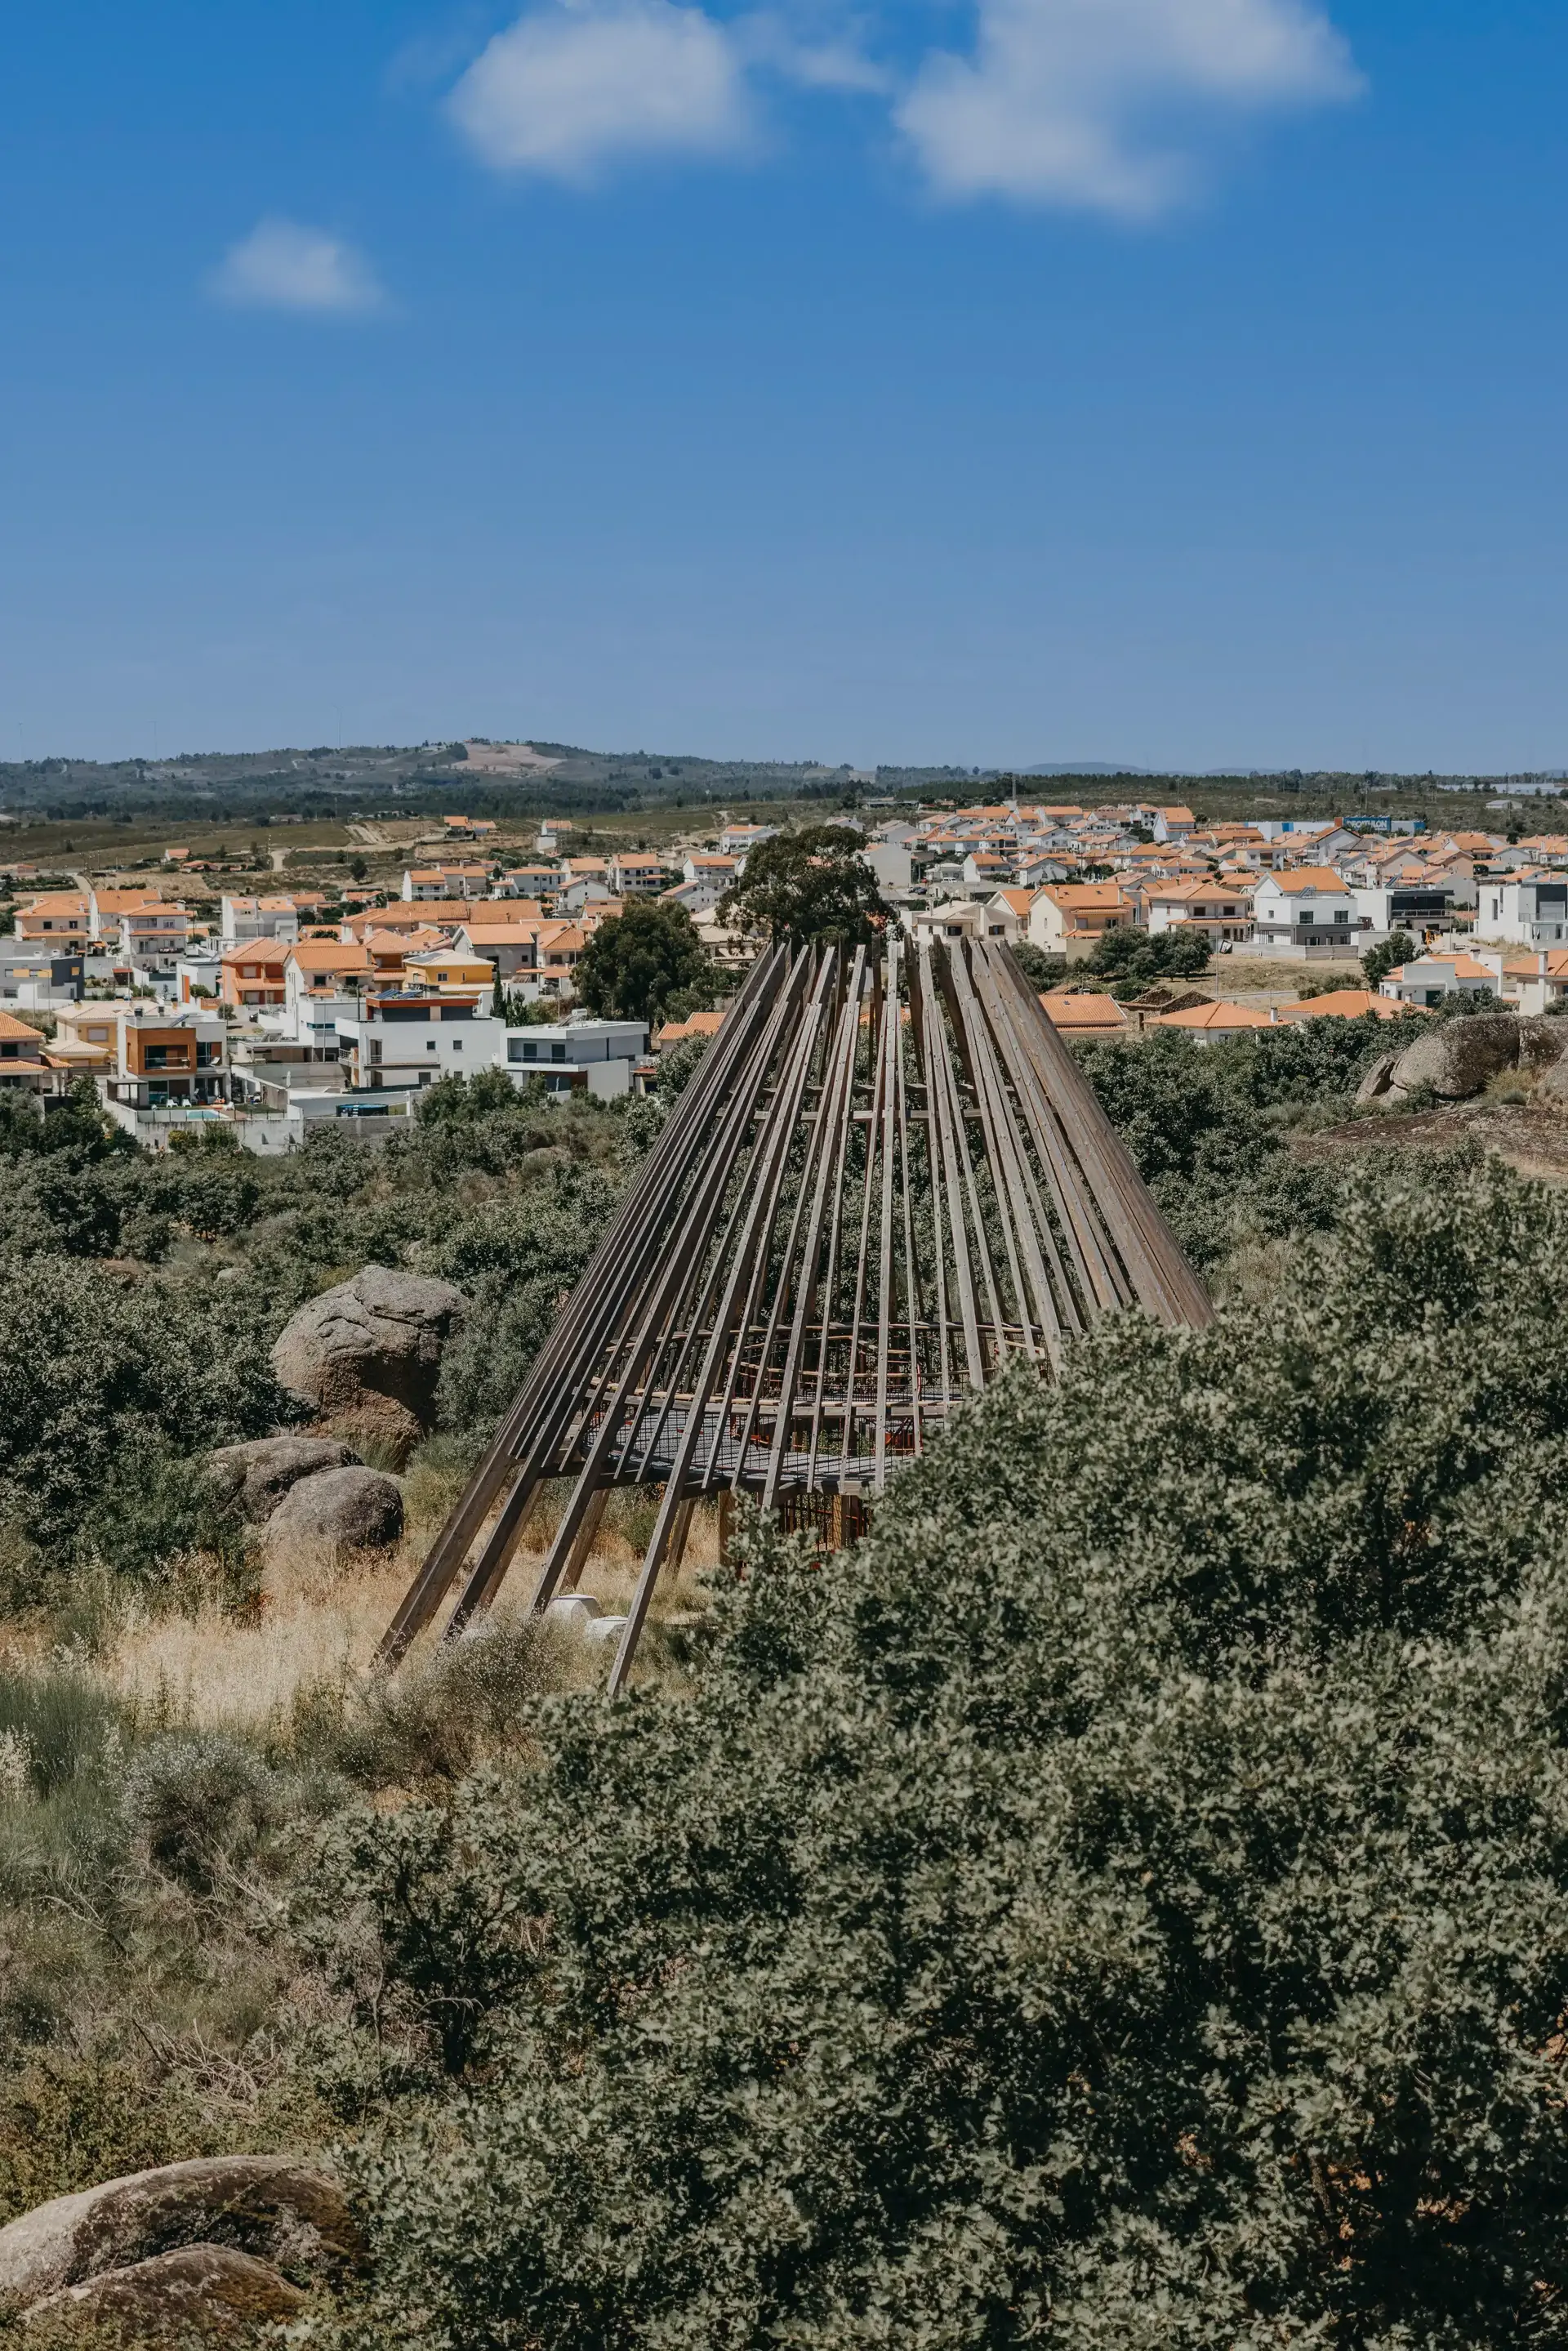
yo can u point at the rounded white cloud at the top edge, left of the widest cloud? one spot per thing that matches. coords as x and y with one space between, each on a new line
582 83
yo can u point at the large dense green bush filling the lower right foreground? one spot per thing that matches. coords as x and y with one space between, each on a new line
1125 1903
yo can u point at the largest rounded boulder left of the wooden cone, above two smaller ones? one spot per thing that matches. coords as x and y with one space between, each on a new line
368 1353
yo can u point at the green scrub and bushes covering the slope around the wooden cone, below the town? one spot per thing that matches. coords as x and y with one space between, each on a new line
1123 1903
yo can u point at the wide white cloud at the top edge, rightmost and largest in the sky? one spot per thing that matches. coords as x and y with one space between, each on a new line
1073 102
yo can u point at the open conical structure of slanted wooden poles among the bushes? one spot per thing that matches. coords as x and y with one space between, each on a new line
885 1181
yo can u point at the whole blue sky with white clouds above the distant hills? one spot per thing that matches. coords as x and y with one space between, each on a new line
1033 380
